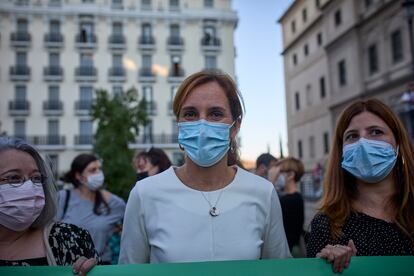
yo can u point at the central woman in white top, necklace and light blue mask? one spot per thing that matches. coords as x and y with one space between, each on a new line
208 208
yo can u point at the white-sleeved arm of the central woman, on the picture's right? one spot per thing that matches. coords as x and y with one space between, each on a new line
275 245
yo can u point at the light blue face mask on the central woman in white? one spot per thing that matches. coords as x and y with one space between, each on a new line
204 142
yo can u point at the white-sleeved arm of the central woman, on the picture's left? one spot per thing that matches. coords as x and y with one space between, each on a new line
134 240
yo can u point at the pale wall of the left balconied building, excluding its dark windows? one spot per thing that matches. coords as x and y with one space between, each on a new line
191 16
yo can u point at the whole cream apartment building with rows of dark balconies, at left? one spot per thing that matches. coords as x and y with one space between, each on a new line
55 53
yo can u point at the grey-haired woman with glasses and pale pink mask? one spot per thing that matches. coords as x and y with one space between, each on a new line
28 233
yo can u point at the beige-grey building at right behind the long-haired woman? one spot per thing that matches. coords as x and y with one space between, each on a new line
337 51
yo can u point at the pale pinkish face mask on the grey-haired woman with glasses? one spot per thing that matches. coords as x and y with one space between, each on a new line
20 206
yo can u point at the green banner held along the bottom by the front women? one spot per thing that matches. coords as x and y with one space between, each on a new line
359 266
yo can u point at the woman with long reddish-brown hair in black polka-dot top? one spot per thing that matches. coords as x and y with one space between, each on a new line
368 203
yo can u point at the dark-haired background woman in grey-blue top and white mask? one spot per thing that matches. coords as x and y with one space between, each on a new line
89 205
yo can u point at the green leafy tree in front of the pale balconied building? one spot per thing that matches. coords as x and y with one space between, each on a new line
119 119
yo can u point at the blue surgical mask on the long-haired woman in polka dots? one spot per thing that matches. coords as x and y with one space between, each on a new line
369 160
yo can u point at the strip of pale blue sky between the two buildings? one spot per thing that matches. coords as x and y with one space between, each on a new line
259 74
